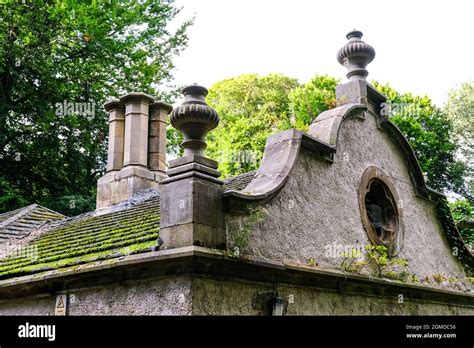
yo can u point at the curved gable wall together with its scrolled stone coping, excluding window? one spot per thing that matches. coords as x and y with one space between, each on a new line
316 204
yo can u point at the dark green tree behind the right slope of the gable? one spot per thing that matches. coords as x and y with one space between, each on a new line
429 132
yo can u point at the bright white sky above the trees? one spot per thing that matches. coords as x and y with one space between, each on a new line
423 47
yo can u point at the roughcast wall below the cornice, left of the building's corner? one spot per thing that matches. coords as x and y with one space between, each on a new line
163 296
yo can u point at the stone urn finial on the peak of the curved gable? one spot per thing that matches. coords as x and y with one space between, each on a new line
355 56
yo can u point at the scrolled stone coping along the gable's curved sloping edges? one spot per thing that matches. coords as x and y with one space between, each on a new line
282 150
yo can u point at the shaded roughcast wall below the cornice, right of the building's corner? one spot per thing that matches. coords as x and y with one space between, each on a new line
223 297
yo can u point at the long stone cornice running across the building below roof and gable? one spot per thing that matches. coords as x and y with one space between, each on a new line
200 261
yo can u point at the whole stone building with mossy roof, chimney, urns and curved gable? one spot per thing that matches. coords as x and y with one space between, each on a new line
335 221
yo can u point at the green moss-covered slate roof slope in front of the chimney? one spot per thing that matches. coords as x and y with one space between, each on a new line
87 238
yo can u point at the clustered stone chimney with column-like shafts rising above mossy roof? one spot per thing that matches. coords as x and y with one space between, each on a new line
136 158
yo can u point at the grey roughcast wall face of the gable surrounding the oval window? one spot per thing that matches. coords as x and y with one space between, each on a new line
318 207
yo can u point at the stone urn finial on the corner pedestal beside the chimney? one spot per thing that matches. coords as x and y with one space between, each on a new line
194 118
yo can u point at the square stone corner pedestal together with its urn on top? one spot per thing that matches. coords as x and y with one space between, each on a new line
191 196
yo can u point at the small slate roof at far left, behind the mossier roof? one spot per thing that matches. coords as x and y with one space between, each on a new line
18 223
